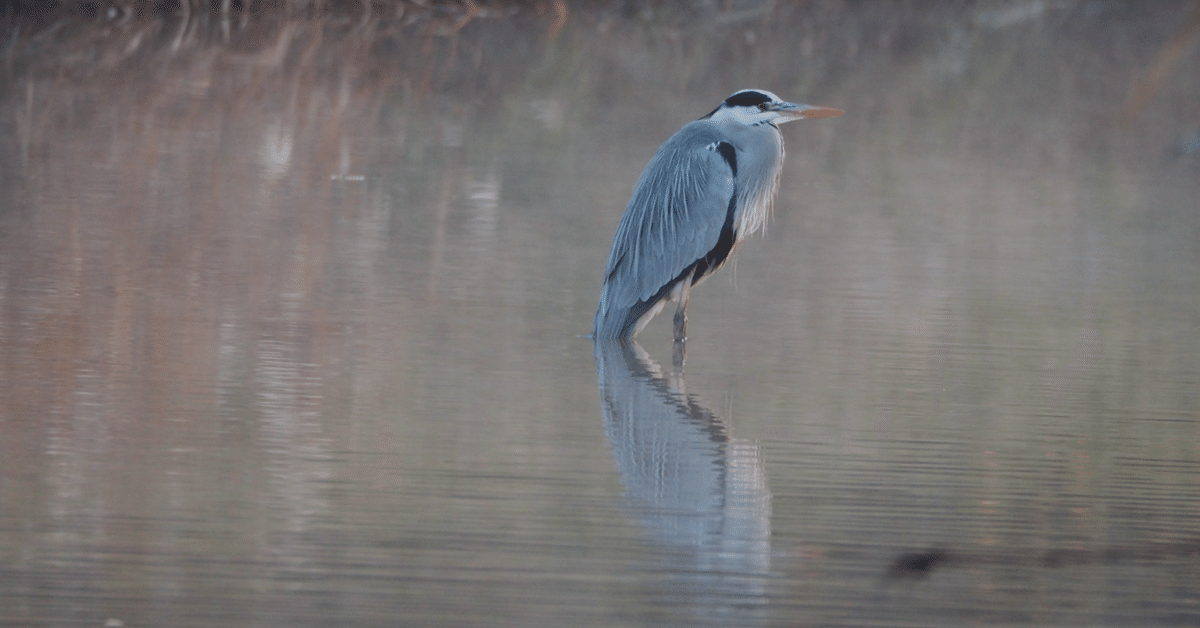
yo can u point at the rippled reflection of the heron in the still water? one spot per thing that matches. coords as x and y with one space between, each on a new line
699 494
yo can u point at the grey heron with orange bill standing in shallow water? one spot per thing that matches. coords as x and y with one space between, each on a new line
706 190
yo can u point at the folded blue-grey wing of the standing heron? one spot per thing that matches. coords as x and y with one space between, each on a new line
675 219
